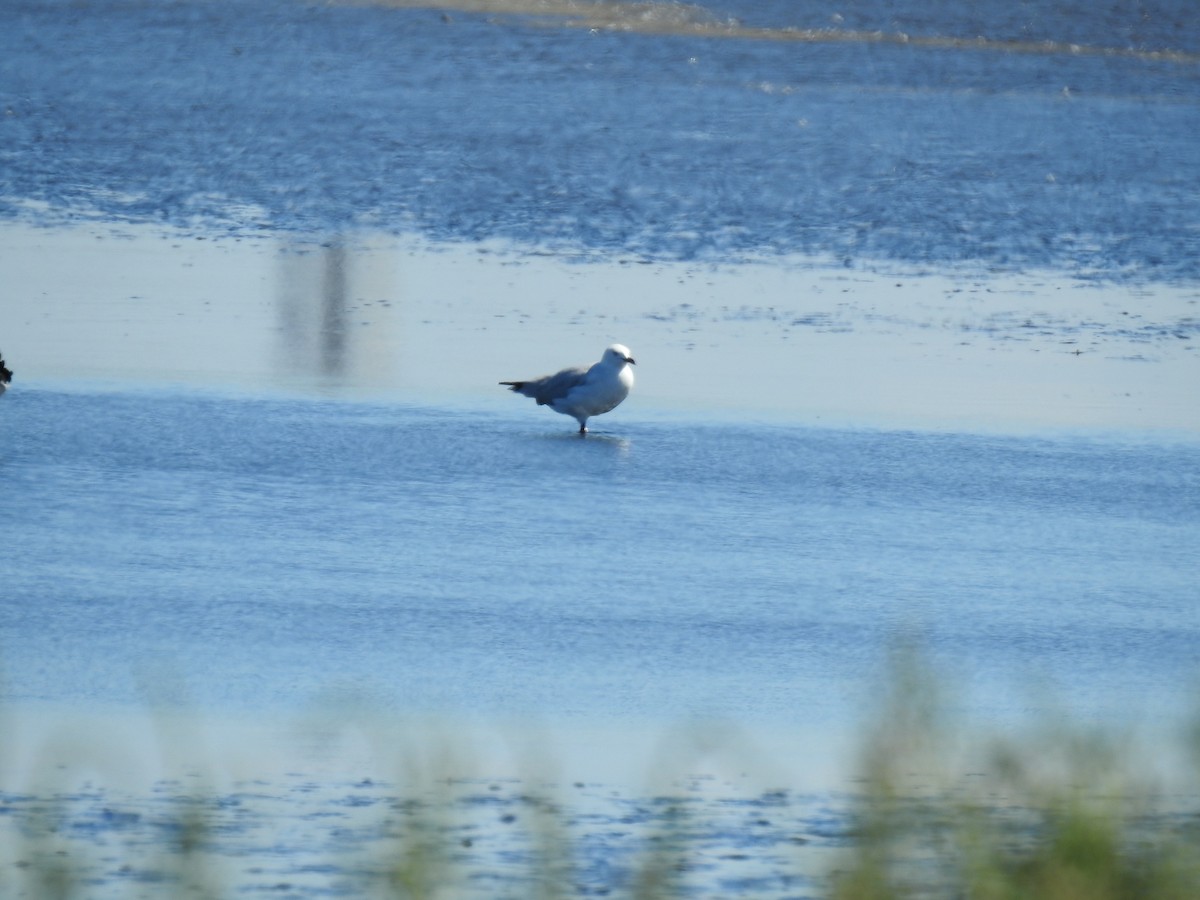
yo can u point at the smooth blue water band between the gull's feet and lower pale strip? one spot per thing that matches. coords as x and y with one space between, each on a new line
265 551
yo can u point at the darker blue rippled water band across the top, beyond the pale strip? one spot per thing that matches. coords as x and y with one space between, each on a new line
279 116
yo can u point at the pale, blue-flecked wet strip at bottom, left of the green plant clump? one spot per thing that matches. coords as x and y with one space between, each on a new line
339 802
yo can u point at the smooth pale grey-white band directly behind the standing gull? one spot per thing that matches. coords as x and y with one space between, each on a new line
802 343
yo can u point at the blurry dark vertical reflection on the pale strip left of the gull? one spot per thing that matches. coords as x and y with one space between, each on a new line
337 315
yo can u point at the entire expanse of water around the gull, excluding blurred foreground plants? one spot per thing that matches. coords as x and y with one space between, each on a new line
914 295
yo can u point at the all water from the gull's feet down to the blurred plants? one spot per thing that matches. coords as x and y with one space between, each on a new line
332 572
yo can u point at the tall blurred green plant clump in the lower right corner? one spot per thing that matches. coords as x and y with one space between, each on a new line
1060 813
